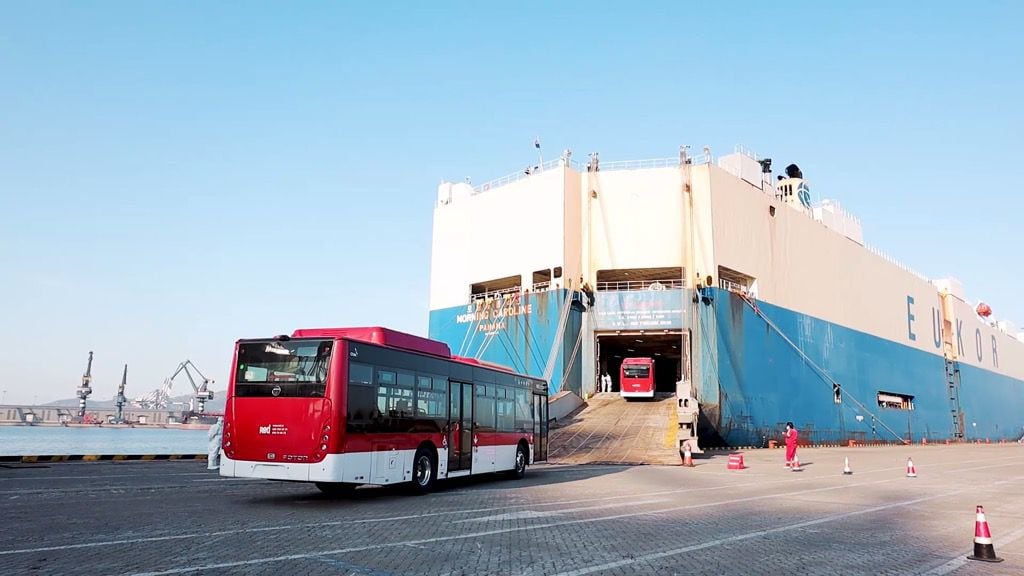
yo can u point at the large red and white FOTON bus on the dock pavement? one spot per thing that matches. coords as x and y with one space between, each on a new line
343 407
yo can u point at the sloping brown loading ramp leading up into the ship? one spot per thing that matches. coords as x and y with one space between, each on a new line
611 431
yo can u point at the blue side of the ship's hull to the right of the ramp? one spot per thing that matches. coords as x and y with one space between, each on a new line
753 382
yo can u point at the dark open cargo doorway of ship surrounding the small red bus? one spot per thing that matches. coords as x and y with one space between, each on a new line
664 348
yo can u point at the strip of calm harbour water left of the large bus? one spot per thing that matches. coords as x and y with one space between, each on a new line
33 441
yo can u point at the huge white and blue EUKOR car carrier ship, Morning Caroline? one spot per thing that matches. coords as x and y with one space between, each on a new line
760 304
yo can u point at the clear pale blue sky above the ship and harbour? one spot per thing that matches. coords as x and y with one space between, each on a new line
178 176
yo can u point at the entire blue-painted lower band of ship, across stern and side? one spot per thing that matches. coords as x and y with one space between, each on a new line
749 380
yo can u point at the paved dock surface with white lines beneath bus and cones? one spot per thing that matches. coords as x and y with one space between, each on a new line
134 518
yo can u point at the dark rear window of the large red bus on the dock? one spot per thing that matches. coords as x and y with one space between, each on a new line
290 368
